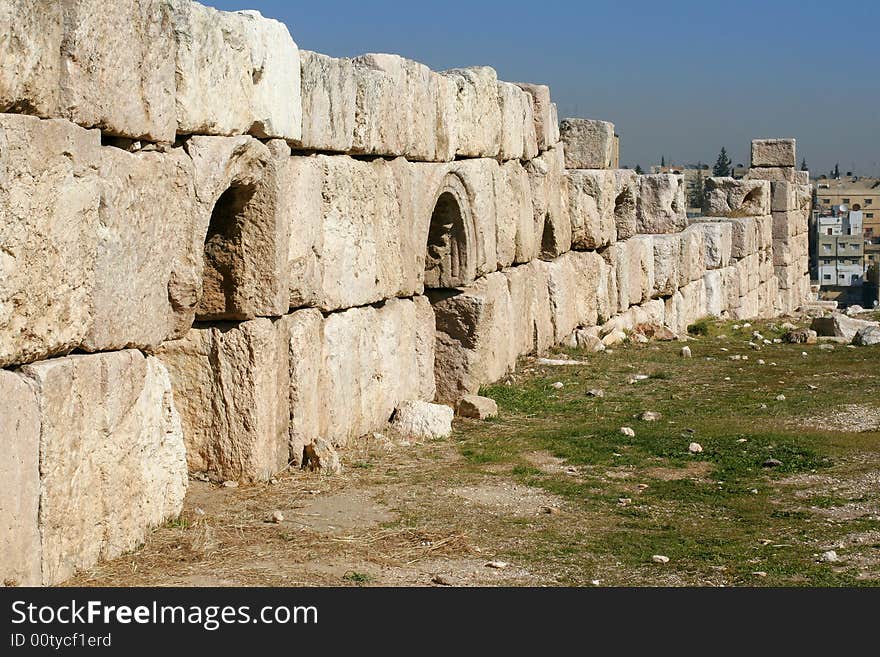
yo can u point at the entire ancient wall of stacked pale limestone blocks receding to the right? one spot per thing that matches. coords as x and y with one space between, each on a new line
219 253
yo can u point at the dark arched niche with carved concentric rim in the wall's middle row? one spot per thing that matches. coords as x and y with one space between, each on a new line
451 252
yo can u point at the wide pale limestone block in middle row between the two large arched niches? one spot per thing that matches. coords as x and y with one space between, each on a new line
354 237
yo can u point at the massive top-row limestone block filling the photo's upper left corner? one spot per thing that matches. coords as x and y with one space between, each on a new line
97 65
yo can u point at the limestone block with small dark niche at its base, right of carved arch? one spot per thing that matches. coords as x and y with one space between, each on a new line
546 176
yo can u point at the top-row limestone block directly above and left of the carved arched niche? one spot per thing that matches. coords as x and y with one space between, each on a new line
403 108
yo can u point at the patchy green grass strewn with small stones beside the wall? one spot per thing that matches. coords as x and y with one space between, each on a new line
718 518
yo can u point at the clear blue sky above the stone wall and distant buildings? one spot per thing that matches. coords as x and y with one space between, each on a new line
679 78
